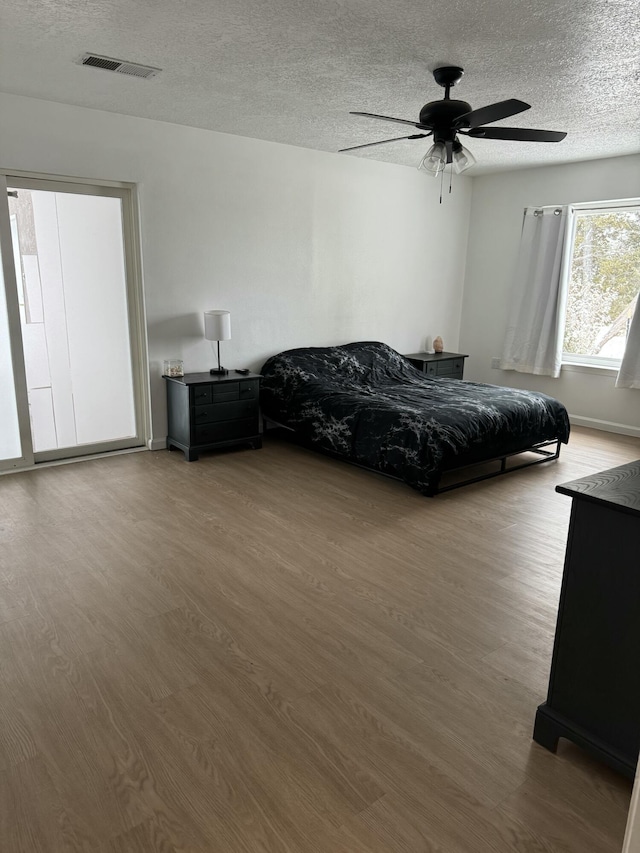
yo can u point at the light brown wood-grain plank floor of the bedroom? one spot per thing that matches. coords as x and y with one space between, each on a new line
272 651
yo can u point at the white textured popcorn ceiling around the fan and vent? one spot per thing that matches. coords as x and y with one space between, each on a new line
290 70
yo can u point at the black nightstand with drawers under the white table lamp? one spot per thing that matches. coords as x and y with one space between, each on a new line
206 412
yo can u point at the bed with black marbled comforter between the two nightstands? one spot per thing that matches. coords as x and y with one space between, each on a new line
365 403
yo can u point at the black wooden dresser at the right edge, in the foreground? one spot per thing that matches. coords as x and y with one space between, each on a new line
594 686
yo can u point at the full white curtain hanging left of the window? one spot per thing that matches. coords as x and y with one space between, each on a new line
535 330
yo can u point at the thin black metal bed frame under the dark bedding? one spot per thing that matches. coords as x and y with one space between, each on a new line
541 449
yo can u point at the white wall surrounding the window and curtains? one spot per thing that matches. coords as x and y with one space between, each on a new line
496 221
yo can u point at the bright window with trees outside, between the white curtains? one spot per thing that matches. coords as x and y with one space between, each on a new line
603 285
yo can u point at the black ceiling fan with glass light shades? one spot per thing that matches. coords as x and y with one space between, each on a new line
447 118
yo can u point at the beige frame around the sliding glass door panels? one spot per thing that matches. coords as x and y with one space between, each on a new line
127 193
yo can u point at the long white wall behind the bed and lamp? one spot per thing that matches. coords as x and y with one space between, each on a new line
304 248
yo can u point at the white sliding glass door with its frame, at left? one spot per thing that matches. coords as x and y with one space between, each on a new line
73 317
